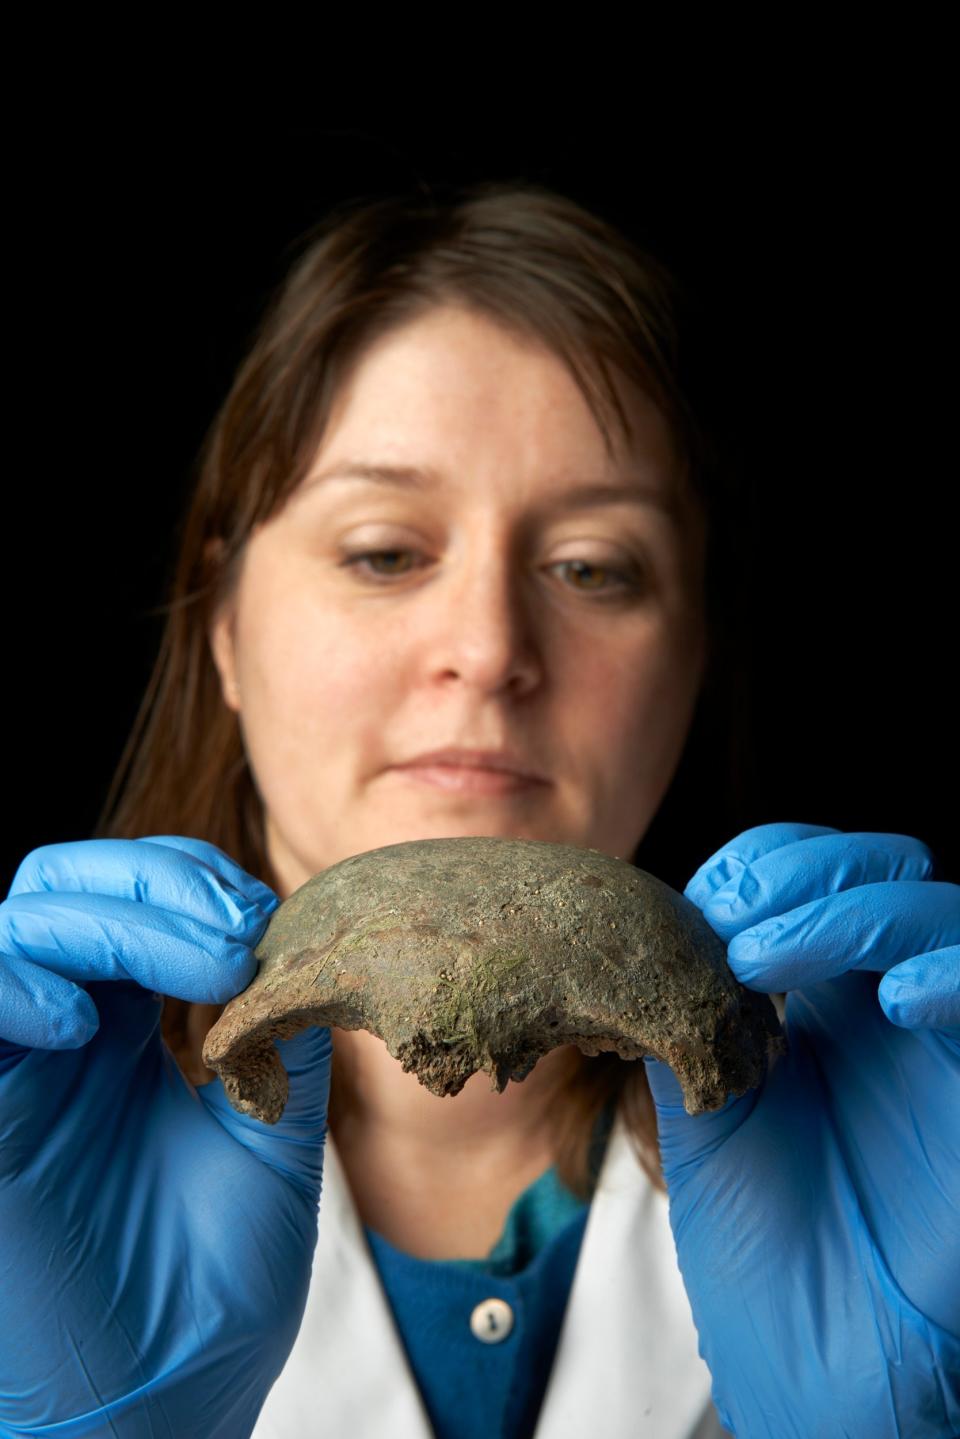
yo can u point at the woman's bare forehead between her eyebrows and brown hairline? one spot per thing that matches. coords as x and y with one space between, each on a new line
461 379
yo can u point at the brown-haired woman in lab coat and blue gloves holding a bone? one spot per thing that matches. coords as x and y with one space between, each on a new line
447 573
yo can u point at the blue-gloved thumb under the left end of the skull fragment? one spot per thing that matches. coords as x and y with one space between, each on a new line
294 1146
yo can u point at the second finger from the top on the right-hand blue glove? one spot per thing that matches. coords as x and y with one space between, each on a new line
811 868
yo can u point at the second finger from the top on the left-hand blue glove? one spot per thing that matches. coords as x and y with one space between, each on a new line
189 879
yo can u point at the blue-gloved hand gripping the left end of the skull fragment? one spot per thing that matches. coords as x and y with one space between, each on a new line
155 1245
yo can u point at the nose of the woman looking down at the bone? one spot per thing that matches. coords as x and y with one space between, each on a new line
483 625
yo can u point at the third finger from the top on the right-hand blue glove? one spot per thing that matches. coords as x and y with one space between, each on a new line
873 927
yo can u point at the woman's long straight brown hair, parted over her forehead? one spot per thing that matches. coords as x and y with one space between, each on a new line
539 264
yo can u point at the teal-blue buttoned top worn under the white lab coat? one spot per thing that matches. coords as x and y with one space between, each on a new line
474 1389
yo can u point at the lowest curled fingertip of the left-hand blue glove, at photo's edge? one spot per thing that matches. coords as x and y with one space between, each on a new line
41 1011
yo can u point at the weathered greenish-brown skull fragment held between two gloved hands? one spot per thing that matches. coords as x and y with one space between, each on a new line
483 953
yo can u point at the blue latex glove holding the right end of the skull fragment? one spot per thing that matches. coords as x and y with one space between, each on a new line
818 1217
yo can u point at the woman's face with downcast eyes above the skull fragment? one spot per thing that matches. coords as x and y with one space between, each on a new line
513 591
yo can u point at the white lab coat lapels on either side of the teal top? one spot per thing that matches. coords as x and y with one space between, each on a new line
627 1361
